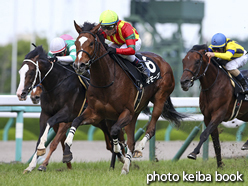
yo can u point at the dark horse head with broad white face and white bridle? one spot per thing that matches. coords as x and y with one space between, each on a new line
30 74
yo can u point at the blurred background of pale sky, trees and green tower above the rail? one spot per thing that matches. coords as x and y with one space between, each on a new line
169 28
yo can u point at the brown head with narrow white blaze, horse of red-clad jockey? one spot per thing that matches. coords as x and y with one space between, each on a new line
87 46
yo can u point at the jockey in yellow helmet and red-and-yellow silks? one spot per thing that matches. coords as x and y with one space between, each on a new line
124 37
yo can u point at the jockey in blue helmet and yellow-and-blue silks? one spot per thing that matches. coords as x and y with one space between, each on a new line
230 51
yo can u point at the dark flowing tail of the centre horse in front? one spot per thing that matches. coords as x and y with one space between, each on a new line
171 114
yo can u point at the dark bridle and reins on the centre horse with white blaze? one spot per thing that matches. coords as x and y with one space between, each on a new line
94 58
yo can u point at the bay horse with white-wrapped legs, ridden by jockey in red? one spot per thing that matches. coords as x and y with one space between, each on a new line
111 94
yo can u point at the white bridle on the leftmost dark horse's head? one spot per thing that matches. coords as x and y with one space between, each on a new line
37 73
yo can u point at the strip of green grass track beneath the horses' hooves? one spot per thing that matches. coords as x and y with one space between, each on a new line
98 173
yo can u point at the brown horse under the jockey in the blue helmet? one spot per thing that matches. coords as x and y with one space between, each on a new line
216 98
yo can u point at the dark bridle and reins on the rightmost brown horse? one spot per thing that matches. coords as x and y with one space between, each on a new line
196 75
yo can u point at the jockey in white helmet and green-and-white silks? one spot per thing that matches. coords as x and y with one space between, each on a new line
62 50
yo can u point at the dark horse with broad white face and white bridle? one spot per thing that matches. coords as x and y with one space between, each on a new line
62 100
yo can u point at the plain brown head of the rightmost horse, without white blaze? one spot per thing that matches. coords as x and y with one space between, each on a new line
195 65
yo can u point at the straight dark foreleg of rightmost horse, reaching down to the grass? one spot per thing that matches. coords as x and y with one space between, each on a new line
217 149
